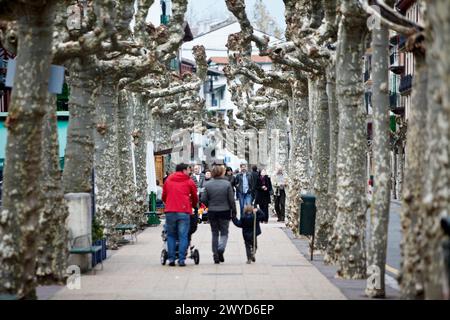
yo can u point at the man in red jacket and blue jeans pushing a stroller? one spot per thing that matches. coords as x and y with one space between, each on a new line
179 196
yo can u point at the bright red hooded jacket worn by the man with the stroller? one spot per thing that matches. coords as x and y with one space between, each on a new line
179 193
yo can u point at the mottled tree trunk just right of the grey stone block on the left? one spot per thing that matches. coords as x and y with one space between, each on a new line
106 165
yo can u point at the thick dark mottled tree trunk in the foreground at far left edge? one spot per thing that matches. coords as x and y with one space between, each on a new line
22 201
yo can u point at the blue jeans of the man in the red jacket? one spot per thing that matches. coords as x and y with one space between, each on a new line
177 224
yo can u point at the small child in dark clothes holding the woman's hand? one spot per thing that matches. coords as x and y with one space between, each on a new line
249 223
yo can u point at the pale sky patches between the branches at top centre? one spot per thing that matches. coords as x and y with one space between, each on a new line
203 9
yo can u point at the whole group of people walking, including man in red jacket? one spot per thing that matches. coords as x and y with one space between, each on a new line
217 189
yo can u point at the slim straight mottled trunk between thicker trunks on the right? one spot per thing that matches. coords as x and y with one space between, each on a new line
379 211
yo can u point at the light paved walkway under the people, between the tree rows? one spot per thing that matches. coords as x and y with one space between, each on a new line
134 272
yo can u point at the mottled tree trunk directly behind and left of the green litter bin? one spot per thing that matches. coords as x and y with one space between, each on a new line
298 179
